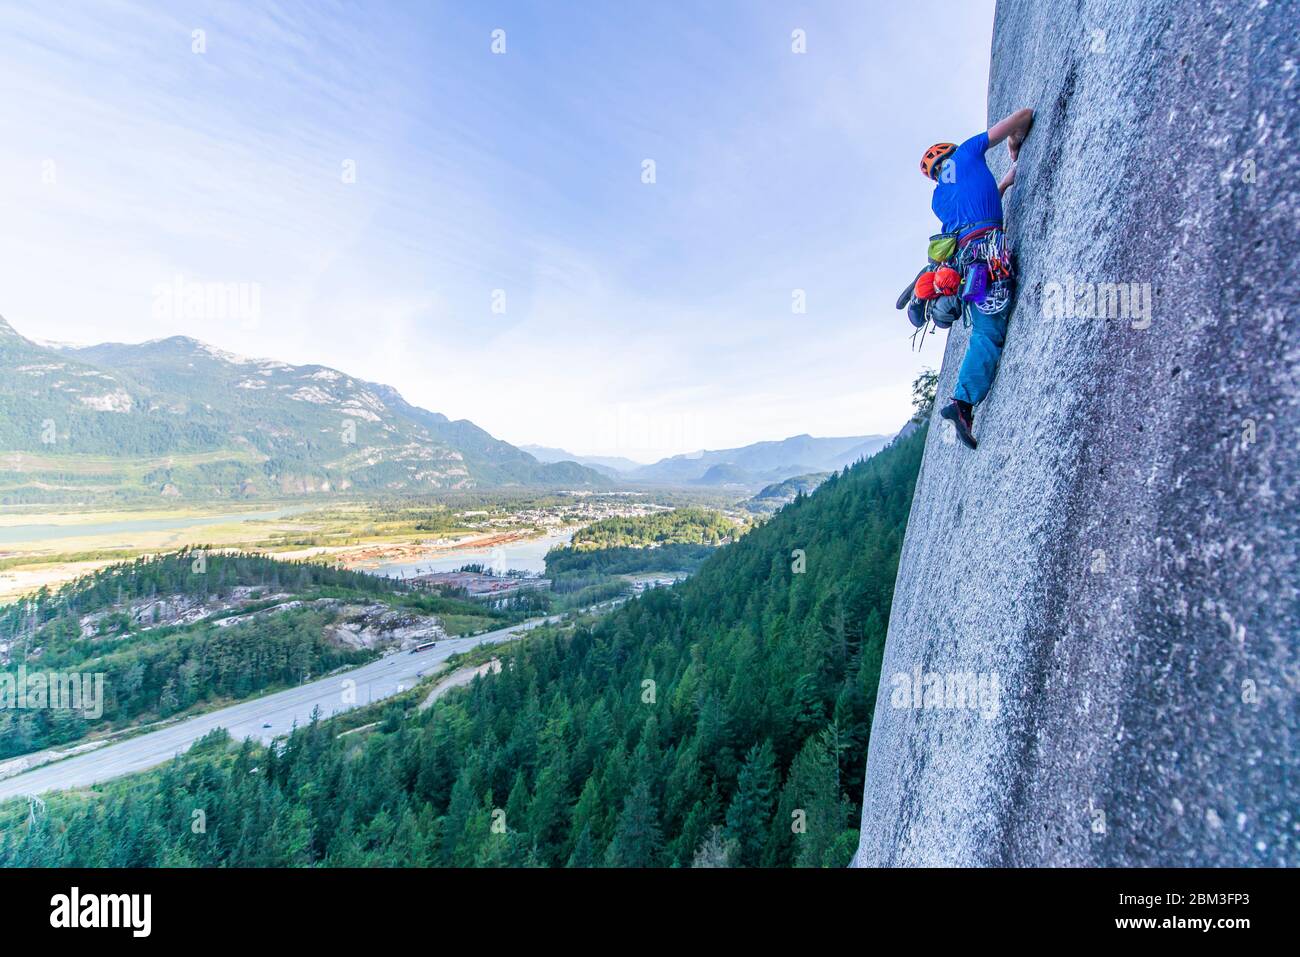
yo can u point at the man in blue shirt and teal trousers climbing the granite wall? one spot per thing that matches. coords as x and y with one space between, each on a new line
969 202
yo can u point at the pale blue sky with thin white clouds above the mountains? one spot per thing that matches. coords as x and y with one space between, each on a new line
639 319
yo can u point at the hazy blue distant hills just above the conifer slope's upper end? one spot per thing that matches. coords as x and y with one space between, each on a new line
761 462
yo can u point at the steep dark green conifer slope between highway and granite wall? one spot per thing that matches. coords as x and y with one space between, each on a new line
722 722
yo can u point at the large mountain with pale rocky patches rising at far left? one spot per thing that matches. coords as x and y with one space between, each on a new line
179 419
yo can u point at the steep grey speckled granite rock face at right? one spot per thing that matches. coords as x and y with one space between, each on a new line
1121 553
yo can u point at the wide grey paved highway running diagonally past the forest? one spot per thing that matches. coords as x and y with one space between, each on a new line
332 695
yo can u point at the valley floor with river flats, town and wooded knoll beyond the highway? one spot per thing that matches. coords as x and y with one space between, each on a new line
291 594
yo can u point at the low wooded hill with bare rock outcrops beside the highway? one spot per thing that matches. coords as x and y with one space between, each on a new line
179 631
